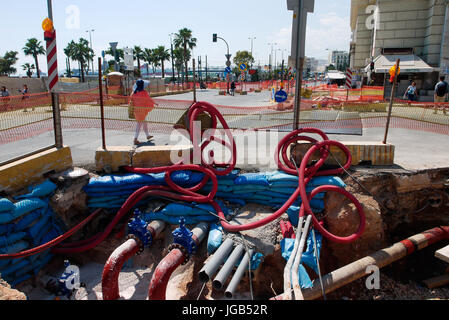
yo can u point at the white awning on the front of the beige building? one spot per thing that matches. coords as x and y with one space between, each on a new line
409 64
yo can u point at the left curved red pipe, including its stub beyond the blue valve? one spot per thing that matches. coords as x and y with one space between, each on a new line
123 253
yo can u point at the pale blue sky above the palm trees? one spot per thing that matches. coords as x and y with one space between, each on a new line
148 23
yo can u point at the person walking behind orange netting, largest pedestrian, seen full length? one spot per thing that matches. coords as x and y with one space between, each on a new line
142 104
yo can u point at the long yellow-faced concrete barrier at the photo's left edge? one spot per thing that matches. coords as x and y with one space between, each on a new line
30 170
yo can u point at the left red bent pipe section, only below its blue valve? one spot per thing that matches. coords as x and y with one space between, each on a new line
112 268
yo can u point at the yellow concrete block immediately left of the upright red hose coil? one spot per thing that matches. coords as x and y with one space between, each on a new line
158 156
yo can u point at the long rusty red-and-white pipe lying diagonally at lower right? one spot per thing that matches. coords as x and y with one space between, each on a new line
357 269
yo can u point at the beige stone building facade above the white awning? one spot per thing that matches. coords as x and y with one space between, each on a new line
414 24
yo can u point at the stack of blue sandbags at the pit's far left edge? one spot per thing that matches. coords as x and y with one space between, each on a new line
26 224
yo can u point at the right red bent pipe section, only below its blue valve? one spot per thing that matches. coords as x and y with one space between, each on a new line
162 274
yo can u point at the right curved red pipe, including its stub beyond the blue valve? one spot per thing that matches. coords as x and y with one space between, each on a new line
177 256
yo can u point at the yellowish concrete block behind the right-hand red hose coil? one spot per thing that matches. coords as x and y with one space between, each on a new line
377 153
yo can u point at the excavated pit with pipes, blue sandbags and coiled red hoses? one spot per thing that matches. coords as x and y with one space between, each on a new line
318 227
